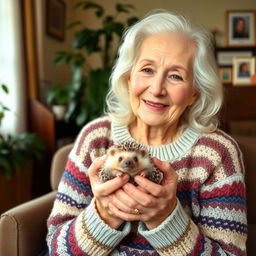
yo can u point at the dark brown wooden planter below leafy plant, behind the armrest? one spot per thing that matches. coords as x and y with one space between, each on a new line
16 190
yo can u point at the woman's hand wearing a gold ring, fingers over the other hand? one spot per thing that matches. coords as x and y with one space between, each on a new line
149 202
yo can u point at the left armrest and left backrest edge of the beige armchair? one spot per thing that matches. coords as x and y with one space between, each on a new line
23 228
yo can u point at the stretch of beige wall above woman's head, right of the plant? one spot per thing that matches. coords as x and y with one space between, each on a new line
208 13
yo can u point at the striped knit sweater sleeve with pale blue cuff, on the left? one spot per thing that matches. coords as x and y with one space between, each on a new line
74 226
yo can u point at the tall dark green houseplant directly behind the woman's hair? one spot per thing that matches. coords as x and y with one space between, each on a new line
88 86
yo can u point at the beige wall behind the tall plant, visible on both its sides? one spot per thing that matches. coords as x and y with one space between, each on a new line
208 13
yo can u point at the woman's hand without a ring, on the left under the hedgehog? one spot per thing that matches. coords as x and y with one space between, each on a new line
102 192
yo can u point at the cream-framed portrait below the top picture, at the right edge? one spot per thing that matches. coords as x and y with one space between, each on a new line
243 69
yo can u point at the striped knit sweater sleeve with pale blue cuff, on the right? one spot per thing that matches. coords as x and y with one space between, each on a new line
217 225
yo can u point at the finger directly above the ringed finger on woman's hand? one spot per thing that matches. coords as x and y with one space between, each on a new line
139 196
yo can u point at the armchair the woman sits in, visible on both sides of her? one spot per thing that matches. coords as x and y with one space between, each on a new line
23 228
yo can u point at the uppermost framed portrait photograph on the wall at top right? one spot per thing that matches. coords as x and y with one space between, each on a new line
240 27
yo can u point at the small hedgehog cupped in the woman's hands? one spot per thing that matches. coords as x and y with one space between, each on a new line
131 158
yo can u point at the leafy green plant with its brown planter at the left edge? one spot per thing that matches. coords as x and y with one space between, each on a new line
16 155
